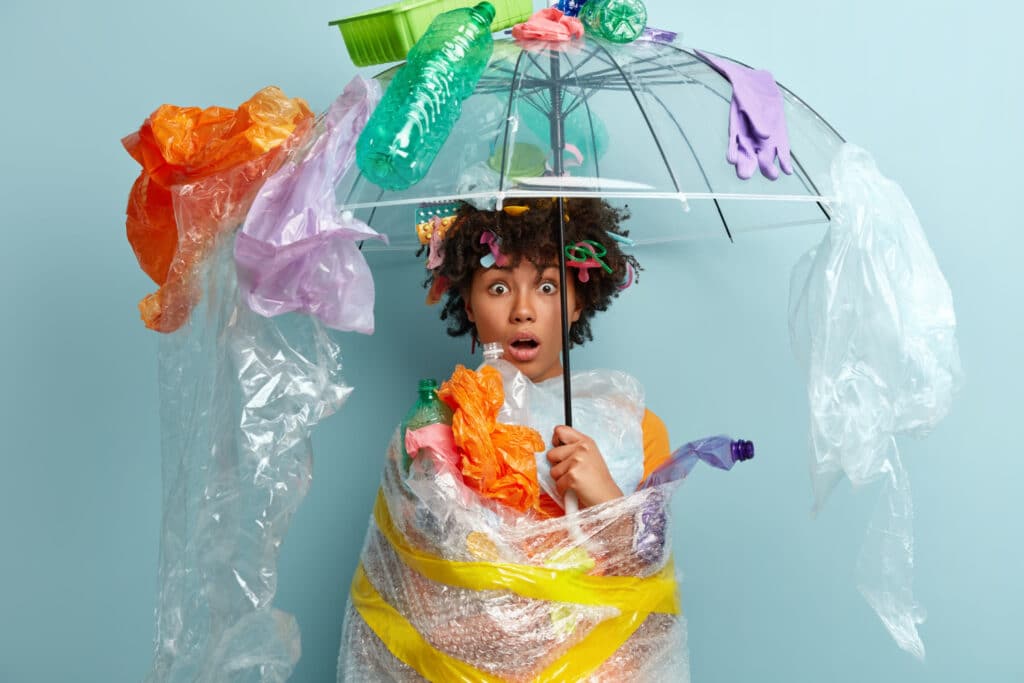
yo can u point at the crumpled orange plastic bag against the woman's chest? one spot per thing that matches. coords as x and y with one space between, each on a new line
498 459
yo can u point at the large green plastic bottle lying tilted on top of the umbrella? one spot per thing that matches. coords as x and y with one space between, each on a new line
415 116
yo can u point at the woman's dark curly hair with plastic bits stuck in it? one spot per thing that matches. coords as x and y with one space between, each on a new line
533 235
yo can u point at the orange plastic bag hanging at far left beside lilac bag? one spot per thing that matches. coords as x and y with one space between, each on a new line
201 169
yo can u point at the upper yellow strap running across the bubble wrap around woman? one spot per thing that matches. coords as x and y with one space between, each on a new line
628 594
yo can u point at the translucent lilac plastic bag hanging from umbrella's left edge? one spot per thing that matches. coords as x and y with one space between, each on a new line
295 252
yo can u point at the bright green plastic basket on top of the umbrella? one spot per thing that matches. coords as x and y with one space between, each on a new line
388 34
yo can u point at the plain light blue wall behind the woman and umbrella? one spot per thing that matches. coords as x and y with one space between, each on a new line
931 90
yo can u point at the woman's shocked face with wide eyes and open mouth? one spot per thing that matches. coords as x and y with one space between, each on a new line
521 308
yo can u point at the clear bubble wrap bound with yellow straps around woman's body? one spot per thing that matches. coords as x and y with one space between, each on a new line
456 587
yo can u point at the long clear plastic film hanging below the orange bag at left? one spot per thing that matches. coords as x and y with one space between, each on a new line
240 395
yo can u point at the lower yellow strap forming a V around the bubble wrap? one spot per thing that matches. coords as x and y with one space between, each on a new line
406 644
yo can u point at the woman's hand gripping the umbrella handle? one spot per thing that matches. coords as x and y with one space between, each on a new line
577 464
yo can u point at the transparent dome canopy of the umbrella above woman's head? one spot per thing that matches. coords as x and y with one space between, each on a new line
645 123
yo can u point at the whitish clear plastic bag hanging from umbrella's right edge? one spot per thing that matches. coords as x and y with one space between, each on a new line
873 319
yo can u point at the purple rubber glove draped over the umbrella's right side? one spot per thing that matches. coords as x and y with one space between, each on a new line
757 120
